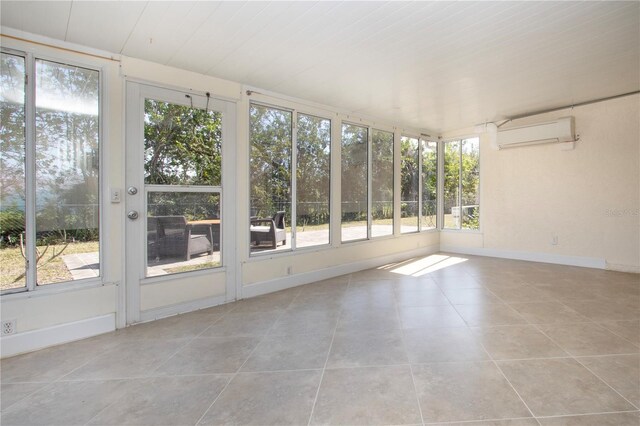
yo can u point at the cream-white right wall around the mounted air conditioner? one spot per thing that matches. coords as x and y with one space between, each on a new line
588 197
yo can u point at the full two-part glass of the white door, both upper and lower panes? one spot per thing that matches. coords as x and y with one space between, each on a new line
183 183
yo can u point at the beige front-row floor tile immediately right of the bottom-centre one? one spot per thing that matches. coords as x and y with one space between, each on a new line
465 391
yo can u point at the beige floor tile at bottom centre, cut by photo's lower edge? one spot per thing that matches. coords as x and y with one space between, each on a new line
366 396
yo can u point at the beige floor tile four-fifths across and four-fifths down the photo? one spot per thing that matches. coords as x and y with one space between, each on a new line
517 342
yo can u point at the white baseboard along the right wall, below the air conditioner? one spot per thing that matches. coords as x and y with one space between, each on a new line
586 262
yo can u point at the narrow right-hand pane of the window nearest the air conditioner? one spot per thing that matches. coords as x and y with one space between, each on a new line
471 183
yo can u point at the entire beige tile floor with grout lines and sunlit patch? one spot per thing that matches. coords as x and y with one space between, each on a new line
442 339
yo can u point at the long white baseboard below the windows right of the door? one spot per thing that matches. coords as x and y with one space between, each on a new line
283 283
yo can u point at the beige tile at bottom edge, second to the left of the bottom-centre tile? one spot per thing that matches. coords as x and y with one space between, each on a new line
163 400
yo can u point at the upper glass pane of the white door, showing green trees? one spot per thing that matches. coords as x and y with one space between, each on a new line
182 145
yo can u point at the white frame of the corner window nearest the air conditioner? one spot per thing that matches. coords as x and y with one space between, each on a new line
441 178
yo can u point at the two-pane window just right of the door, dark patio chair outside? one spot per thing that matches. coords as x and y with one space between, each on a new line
290 179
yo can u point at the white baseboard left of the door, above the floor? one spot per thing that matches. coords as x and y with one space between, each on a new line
29 341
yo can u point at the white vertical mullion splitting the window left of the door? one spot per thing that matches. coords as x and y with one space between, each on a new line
30 172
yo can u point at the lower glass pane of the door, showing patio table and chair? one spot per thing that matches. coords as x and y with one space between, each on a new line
183 232
